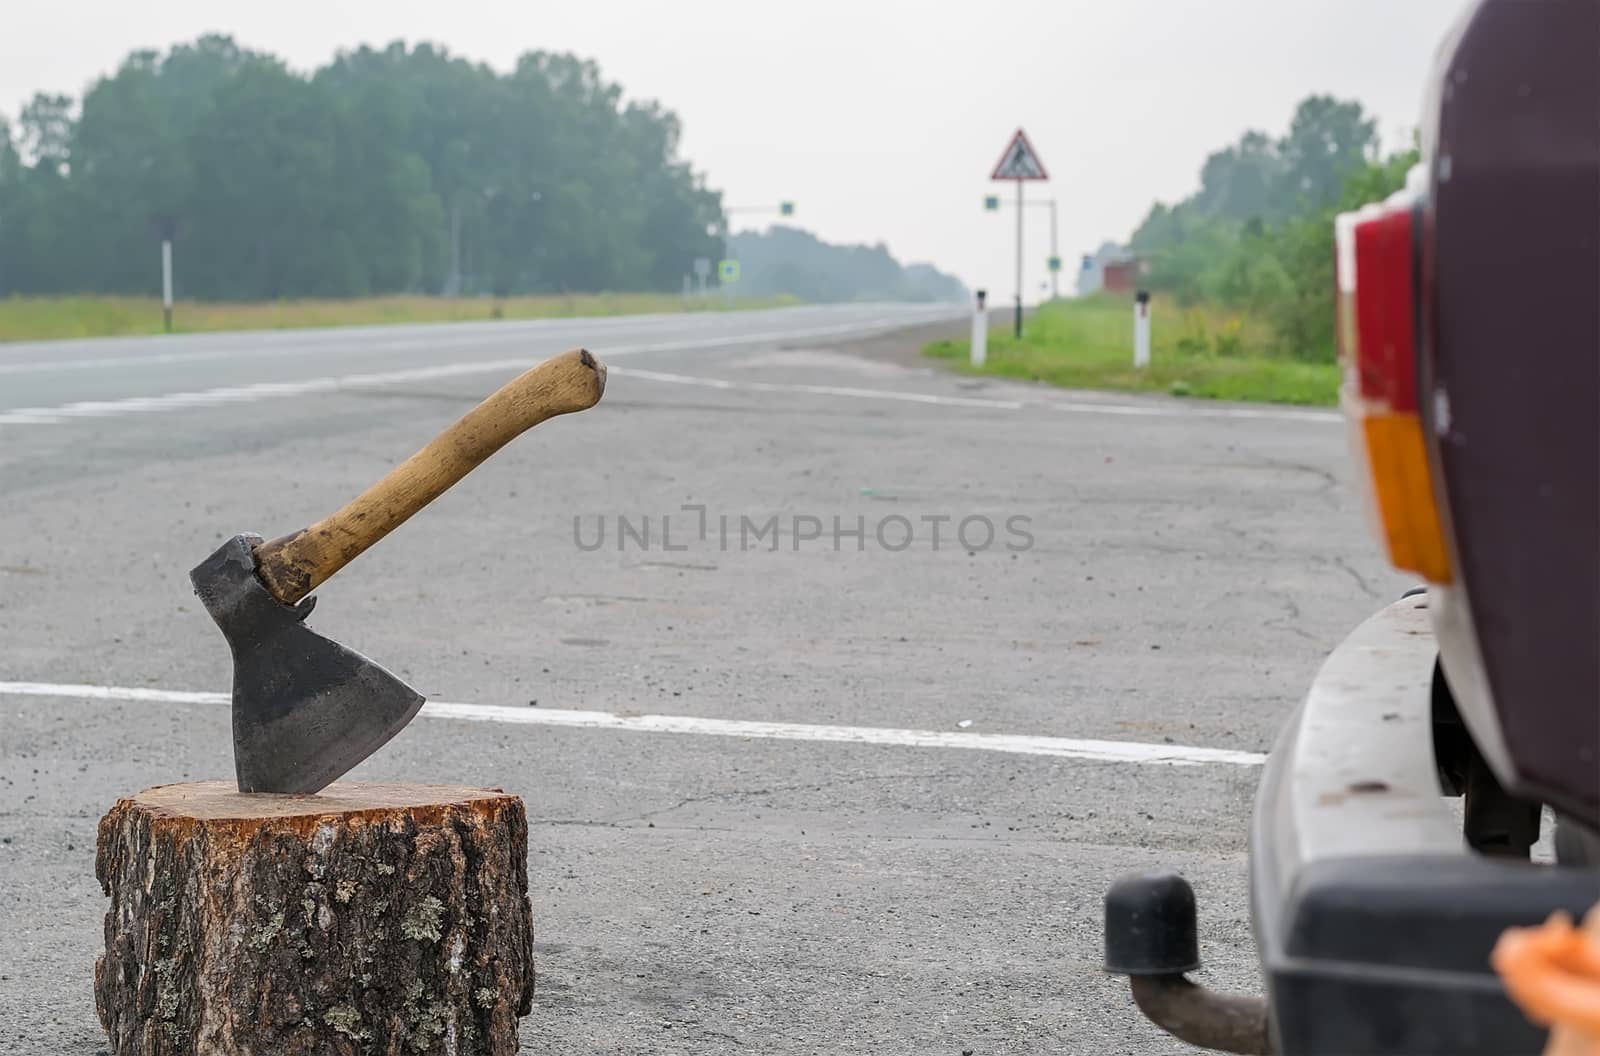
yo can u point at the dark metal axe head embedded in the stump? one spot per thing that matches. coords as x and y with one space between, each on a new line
306 710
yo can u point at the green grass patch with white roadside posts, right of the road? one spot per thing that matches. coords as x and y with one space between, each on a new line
1194 353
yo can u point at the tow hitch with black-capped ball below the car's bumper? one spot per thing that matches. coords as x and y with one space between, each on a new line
1151 938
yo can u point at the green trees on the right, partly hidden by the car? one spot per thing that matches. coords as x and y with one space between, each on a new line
1258 234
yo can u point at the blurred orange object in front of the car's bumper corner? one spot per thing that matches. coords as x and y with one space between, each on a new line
1553 972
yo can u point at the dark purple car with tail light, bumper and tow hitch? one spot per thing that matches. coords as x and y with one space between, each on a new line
1470 334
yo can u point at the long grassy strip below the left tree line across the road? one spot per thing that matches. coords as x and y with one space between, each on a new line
44 319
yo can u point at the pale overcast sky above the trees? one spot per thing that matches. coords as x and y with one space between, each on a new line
881 119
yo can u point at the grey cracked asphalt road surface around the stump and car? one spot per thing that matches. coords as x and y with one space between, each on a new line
1185 569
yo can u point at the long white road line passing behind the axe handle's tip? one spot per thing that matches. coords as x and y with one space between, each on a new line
311 386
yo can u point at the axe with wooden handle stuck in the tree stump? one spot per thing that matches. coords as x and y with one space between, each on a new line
308 710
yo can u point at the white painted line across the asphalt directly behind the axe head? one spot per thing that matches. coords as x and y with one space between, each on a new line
1014 745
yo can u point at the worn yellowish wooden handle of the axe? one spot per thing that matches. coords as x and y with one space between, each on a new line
295 566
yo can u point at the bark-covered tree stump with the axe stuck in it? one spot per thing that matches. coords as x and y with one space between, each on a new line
370 919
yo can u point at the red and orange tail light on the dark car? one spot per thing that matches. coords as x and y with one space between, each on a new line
1380 324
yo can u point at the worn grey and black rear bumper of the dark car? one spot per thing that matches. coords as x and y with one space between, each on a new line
1372 918
